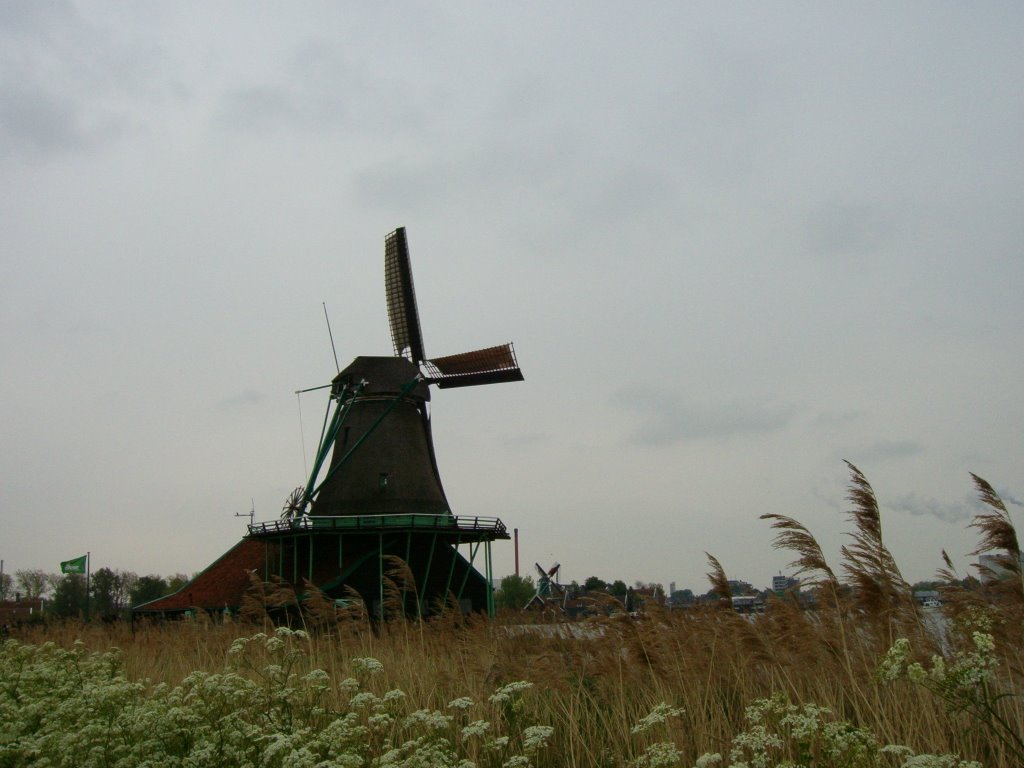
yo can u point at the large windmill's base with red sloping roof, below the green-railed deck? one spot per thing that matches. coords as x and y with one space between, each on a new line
412 565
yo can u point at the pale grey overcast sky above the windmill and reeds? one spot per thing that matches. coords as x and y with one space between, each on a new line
734 244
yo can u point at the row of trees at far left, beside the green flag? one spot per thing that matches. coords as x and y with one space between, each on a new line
110 592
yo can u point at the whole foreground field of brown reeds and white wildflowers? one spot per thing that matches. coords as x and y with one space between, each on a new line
867 679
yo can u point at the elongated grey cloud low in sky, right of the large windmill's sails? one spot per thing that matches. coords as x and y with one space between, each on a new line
666 418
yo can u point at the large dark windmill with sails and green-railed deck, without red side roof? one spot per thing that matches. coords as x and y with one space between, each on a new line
381 495
